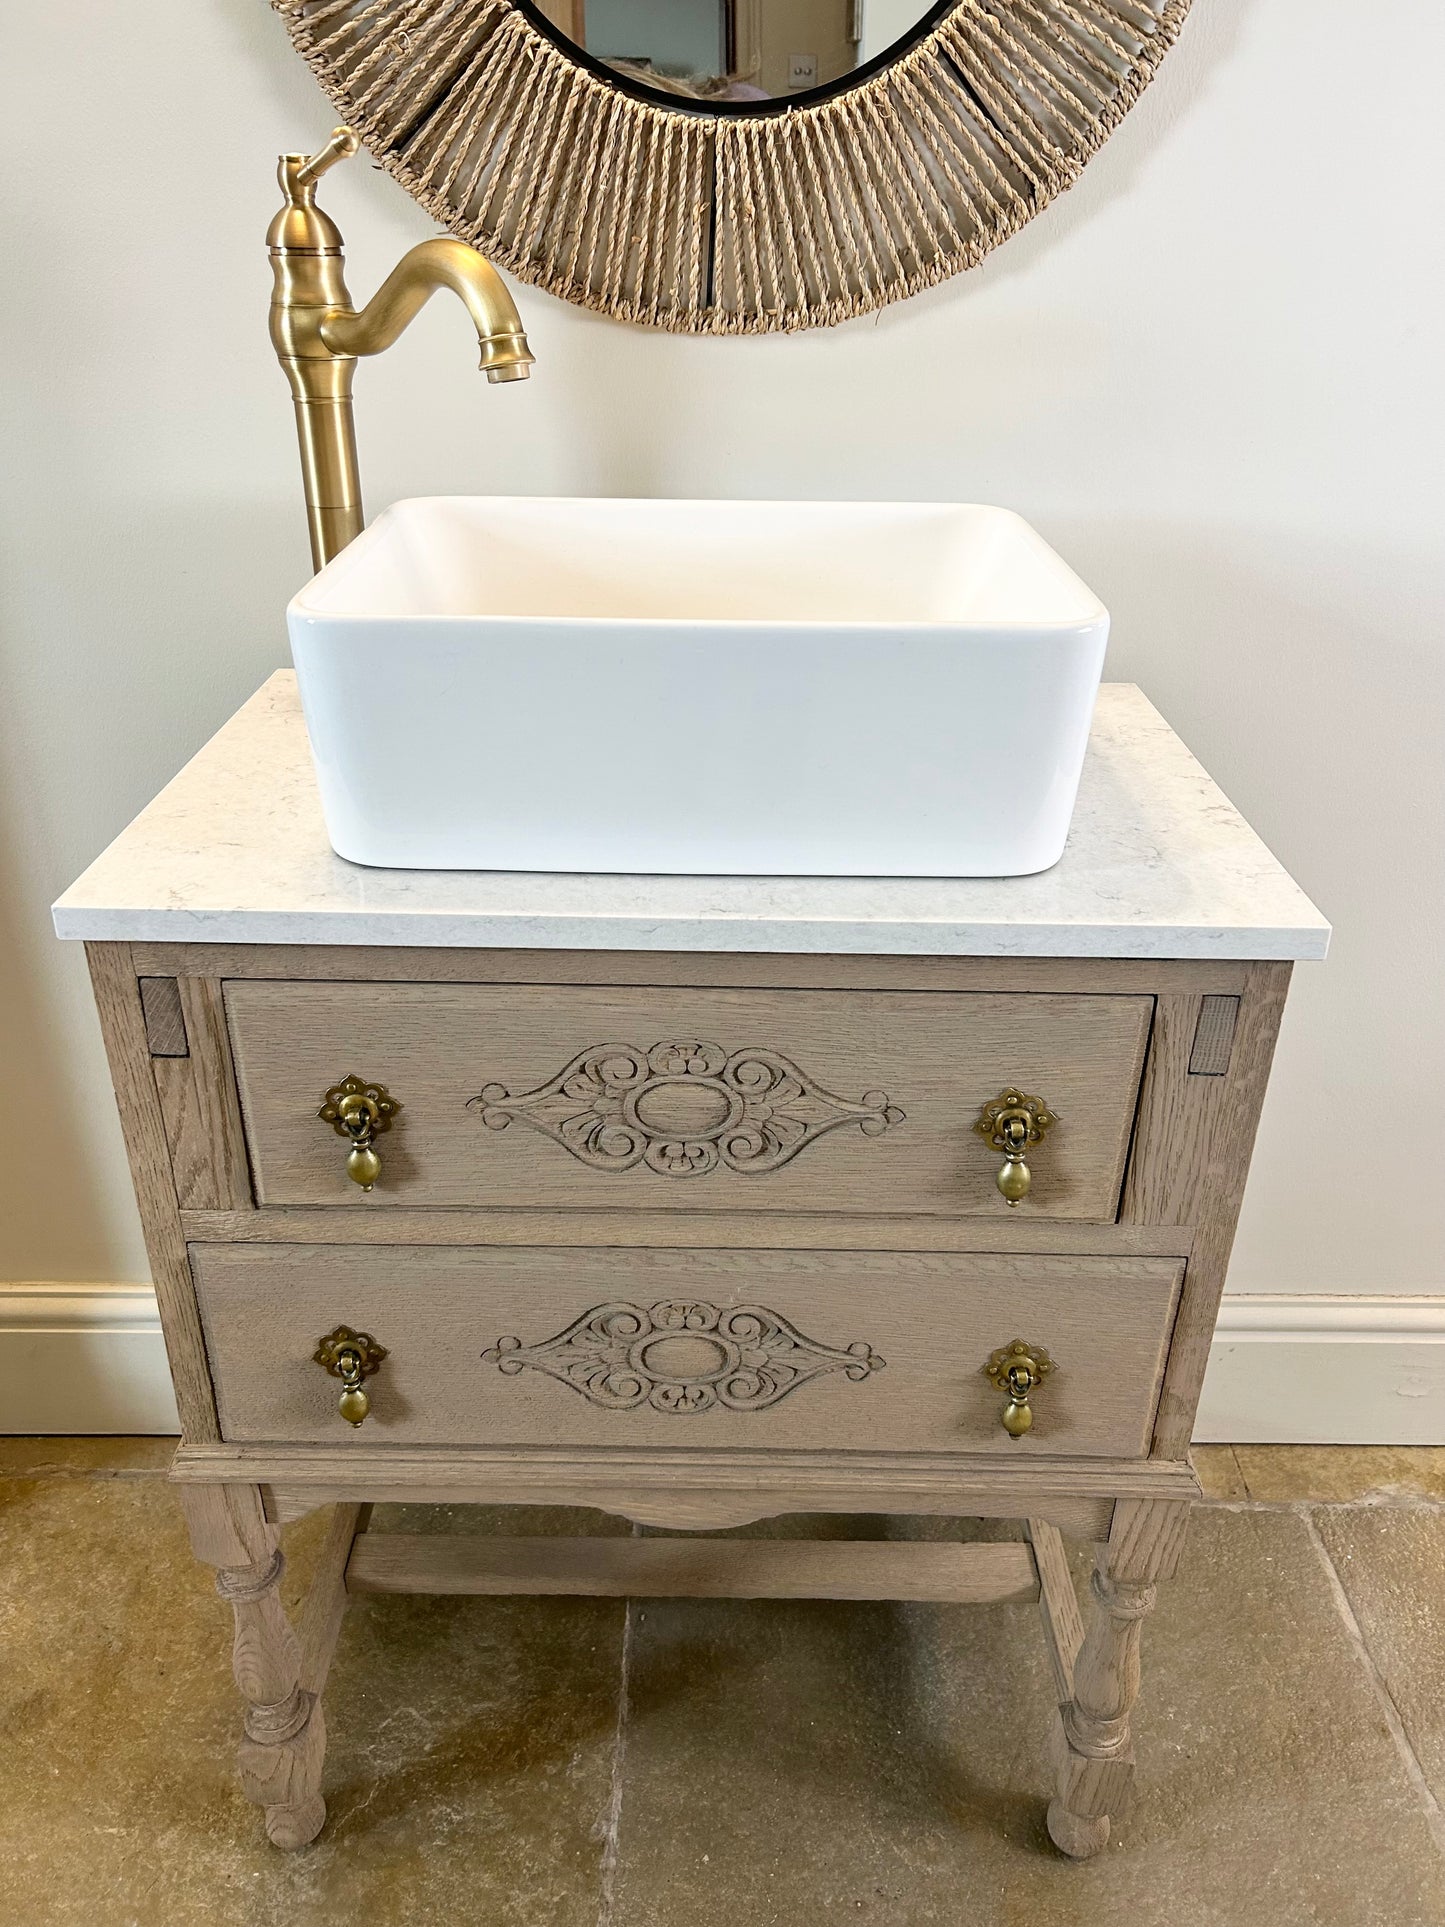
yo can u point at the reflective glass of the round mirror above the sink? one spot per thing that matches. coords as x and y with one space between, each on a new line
739 53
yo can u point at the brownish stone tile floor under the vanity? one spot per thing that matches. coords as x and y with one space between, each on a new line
592 1764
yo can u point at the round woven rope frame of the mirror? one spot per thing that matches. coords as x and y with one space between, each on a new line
733 217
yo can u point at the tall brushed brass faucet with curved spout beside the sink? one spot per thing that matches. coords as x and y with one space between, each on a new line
319 334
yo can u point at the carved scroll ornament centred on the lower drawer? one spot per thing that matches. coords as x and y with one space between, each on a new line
683 1356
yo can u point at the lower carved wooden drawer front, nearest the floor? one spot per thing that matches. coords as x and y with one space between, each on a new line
685 1350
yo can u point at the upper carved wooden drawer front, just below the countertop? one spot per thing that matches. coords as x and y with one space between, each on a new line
670 1099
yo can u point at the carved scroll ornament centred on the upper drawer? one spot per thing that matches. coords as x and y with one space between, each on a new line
683 1109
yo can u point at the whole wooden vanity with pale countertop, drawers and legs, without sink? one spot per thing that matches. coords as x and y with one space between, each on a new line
693 1200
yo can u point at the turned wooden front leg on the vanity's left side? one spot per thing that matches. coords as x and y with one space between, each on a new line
284 1739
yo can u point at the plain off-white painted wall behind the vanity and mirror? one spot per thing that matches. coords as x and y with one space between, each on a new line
1211 375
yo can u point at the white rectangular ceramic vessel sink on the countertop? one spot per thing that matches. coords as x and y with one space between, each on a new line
698 687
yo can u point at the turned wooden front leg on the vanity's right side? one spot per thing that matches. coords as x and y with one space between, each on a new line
1093 1745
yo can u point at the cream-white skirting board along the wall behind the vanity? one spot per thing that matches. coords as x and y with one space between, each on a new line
1286 1369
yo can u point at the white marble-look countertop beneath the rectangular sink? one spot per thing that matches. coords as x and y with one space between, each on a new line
1159 866
